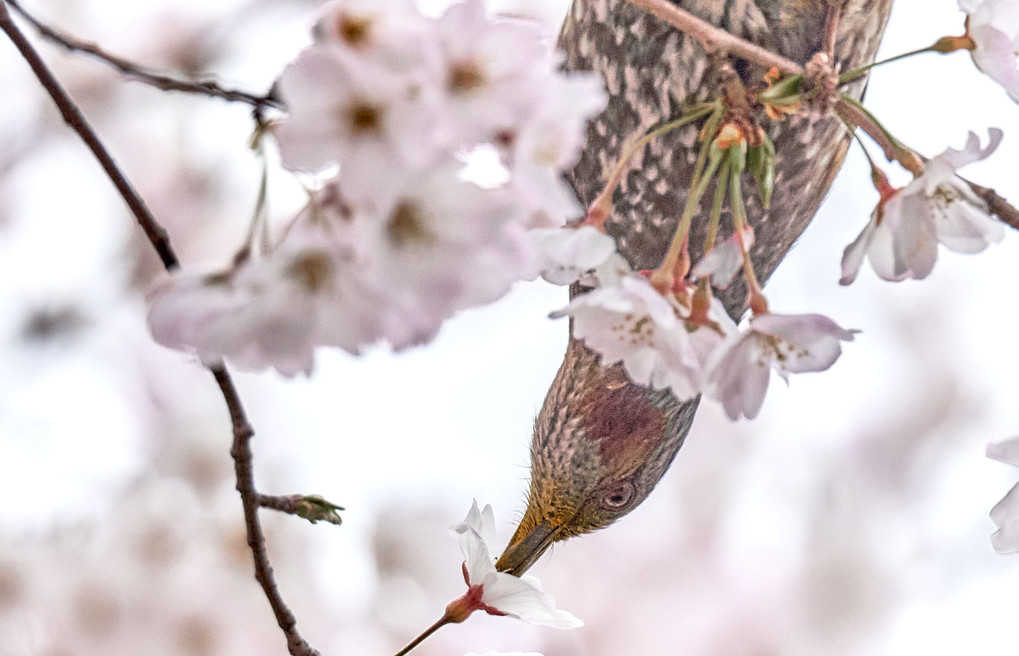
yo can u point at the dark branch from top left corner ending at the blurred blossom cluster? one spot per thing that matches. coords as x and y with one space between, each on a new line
142 74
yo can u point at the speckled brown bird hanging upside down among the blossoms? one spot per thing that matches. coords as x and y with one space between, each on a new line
601 442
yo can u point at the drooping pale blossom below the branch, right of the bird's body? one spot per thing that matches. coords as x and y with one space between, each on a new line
901 239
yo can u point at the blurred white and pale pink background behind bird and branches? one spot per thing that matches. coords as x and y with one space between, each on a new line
851 518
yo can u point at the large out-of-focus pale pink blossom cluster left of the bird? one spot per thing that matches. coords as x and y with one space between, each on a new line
382 111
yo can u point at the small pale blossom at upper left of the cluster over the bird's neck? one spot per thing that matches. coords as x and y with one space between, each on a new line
566 254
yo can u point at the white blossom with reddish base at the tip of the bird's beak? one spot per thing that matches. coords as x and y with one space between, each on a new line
499 593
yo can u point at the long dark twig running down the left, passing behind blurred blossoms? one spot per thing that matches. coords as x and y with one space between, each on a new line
243 431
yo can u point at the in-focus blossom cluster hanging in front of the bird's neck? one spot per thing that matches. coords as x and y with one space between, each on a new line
681 343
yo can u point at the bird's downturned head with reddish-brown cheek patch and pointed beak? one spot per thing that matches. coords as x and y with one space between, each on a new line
601 445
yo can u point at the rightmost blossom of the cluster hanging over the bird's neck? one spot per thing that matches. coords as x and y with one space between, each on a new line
739 371
